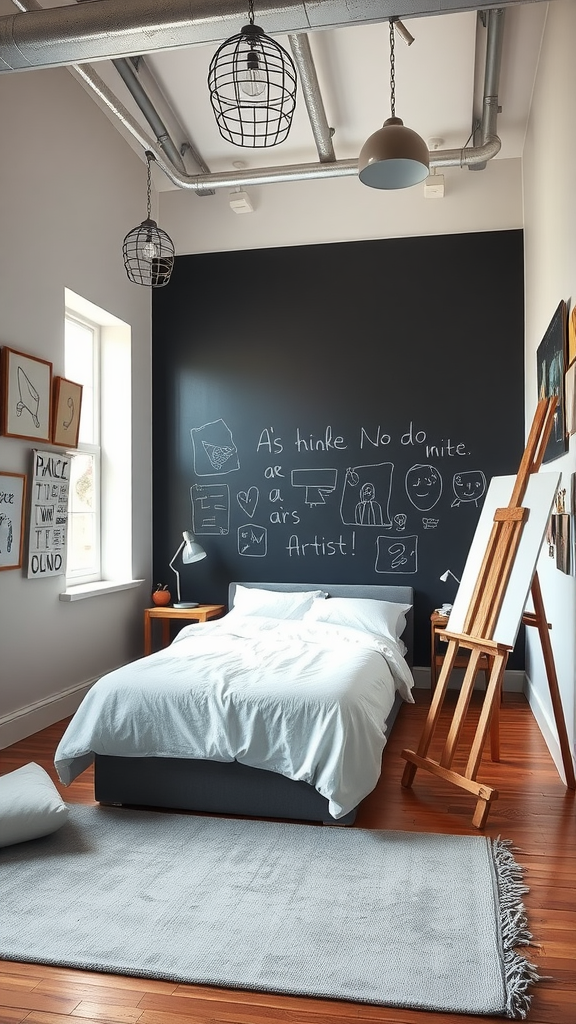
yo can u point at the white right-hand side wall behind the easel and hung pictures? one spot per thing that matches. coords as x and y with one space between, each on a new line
550 217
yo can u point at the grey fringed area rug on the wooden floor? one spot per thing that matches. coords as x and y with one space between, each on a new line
387 918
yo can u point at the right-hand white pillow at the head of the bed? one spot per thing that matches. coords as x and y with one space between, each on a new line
382 618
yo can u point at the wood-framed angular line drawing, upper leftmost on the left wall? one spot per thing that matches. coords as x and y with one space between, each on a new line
27 391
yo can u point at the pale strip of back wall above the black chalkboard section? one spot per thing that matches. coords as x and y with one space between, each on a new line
344 209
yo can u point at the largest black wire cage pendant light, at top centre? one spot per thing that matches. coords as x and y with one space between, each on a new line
253 83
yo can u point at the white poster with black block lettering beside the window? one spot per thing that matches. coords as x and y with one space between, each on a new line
49 515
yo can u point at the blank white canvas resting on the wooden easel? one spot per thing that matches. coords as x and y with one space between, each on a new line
539 500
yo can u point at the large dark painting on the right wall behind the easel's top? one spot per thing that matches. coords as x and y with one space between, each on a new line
551 359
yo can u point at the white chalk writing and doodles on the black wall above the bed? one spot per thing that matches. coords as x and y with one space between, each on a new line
317 494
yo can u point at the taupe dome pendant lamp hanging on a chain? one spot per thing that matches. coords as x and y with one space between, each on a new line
395 157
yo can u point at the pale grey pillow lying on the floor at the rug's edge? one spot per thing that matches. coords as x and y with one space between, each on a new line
30 805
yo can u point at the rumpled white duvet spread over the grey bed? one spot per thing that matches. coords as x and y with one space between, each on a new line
309 702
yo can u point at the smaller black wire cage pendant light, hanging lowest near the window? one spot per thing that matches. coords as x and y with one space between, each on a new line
148 251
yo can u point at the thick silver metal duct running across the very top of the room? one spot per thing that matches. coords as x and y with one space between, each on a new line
107 29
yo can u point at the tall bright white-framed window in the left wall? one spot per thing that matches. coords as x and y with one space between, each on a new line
98 355
